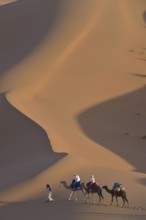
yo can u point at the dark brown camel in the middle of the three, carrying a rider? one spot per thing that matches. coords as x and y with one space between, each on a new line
96 190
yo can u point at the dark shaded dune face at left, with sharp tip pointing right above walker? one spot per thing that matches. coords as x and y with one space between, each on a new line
25 149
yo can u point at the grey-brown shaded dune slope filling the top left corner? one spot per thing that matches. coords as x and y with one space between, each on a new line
23 24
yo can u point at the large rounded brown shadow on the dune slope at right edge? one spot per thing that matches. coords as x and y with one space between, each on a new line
119 125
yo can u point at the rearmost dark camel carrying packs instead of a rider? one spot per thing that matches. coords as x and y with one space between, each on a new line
114 193
